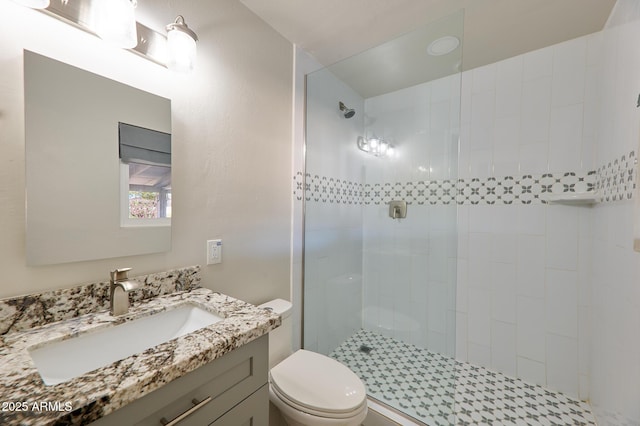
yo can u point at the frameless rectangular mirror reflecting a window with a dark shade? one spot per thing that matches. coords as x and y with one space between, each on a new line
80 191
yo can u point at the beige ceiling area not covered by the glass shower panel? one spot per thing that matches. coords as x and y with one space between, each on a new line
332 30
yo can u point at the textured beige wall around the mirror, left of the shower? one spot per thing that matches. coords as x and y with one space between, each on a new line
231 123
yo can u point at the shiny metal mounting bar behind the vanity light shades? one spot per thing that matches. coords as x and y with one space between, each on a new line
151 44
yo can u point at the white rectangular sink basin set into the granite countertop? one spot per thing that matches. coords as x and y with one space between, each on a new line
64 360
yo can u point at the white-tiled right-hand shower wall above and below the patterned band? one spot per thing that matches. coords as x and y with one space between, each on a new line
615 318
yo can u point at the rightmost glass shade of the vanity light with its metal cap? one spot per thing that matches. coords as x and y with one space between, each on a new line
181 46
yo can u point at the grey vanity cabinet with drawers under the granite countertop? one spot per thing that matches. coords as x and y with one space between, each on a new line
231 390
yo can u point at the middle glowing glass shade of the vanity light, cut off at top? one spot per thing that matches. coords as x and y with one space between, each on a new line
115 22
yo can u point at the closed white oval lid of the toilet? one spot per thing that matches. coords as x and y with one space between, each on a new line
319 383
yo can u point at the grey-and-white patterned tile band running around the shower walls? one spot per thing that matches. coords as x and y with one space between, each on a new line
615 181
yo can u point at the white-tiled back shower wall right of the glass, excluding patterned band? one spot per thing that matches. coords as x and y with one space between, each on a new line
523 285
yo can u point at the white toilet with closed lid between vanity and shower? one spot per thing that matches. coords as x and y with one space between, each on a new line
311 389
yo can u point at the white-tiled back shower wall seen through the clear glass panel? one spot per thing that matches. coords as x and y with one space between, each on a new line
409 265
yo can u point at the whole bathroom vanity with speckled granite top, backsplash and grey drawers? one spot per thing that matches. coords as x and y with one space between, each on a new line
213 375
